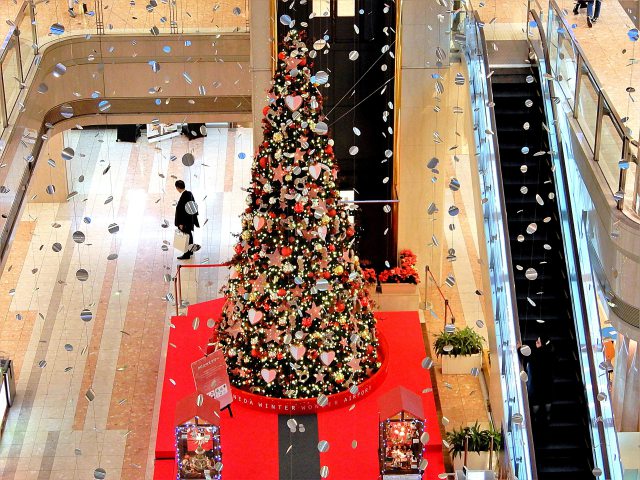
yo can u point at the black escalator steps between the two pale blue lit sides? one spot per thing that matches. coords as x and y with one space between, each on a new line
561 434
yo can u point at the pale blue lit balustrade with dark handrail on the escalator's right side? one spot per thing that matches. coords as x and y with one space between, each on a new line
580 272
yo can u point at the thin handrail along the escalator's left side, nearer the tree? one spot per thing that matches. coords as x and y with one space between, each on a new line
479 26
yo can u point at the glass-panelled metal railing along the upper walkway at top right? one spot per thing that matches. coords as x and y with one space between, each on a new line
612 146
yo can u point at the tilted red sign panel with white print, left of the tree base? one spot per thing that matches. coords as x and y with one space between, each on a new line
211 377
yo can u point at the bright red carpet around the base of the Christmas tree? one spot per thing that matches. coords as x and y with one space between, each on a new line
249 440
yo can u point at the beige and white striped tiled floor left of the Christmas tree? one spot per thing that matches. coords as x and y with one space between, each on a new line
53 431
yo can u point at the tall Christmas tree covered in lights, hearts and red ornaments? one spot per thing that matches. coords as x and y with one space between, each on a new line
297 322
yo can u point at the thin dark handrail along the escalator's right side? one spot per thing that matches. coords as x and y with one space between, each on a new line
581 316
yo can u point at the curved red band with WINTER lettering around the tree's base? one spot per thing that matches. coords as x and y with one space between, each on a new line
310 405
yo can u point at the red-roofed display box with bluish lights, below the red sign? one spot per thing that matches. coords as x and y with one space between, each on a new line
198 452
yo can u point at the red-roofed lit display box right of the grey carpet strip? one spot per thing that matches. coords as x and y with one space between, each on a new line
402 435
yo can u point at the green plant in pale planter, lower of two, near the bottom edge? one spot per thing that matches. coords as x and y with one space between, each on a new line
482 447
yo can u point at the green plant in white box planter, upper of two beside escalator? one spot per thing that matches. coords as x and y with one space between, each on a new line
460 350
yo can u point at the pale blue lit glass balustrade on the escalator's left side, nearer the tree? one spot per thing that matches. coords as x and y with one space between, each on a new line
516 422
